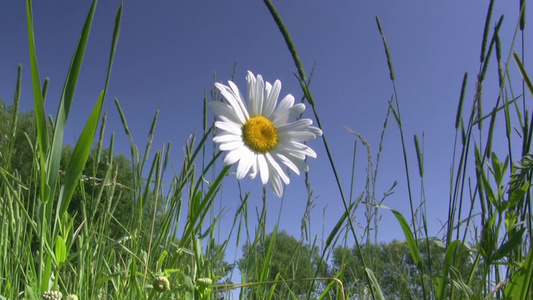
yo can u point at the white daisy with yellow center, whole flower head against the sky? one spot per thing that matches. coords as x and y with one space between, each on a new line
261 135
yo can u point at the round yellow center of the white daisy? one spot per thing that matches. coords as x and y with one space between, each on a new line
260 134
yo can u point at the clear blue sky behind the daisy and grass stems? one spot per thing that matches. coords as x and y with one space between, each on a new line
169 50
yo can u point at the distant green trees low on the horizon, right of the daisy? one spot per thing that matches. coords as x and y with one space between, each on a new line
394 268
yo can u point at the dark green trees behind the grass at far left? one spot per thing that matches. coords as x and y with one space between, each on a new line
95 174
